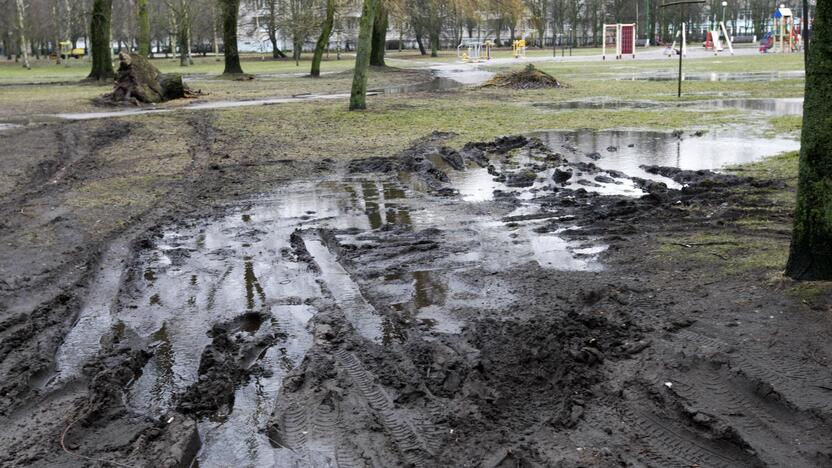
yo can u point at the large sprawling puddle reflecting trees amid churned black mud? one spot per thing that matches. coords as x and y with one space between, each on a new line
268 266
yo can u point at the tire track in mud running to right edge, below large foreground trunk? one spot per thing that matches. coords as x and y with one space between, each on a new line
798 387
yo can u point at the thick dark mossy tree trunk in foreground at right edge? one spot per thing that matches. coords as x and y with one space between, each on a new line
811 249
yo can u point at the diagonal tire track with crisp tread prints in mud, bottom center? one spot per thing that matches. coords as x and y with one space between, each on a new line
410 439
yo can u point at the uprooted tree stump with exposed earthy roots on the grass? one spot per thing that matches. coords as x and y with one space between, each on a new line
139 82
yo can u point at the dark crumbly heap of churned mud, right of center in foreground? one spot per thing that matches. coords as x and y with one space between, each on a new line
544 365
